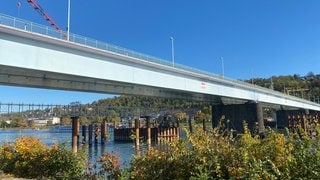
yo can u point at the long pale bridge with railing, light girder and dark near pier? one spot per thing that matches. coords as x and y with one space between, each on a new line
33 55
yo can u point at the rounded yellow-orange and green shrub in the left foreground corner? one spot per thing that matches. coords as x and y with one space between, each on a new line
28 157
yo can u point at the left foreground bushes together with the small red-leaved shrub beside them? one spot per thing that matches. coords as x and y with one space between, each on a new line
28 157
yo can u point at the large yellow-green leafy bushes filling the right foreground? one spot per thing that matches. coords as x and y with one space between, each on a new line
218 155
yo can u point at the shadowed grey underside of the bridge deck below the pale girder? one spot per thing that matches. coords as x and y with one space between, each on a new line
14 76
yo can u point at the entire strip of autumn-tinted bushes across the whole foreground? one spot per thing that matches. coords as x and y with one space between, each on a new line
214 154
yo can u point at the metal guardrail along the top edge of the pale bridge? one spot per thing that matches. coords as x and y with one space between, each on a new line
51 32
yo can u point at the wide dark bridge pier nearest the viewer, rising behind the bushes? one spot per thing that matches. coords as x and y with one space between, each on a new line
233 116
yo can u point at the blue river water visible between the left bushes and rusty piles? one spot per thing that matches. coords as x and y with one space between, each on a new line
124 150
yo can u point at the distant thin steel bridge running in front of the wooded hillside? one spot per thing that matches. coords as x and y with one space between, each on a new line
47 111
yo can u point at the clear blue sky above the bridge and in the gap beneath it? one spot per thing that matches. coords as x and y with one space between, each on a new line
256 38
